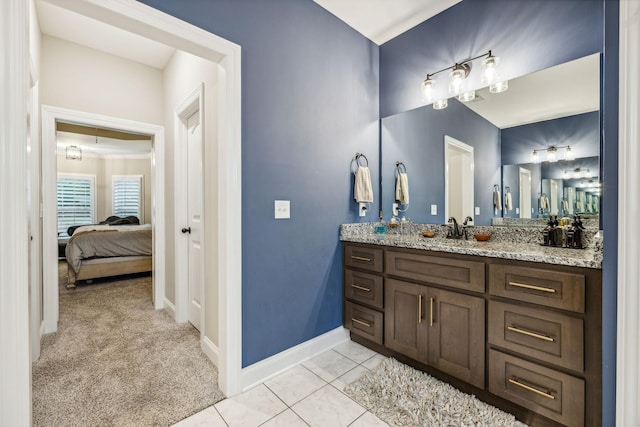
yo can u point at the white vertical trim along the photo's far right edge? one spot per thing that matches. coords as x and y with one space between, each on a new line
628 338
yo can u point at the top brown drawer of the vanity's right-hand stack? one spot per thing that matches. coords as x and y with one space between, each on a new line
538 286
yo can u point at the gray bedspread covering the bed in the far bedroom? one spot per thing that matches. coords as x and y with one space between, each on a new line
104 244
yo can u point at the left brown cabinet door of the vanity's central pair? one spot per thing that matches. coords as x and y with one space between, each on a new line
405 326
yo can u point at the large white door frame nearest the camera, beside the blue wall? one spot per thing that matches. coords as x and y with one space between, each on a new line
148 22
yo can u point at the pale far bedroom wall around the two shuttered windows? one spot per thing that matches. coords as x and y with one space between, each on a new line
104 169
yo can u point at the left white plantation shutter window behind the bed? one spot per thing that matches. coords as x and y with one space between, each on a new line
76 201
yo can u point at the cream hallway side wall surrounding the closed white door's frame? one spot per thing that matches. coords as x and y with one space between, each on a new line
182 75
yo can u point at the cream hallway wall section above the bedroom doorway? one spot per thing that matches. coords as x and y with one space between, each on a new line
88 80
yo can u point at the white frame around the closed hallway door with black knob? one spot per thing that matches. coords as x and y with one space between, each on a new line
193 103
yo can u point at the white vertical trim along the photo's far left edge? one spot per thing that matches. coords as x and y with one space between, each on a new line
15 353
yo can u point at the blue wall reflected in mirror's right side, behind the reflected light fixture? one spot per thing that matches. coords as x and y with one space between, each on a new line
581 132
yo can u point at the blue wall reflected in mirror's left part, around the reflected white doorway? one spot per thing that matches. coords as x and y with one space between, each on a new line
416 138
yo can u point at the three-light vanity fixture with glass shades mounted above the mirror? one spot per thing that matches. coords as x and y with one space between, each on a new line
458 79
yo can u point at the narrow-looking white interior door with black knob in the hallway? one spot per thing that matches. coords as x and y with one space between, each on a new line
194 207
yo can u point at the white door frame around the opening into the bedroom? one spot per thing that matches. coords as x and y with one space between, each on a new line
49 117
